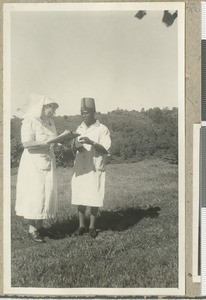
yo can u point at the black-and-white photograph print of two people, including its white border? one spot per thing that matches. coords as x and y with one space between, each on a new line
94 130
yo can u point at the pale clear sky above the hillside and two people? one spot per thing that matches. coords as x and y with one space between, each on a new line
112 56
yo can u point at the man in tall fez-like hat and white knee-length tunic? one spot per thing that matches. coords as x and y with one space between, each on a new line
88 181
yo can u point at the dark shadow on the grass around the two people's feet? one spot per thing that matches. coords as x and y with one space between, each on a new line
118 220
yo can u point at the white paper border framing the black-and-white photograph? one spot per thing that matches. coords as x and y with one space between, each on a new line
120 6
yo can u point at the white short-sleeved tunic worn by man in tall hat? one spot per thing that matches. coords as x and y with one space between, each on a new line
88 181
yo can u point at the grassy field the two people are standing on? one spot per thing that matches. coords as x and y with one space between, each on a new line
137 244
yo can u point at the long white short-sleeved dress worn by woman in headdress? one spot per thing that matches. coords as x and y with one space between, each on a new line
36 195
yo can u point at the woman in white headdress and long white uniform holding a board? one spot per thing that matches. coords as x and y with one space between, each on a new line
36 196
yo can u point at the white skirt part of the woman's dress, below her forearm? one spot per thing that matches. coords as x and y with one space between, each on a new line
36 195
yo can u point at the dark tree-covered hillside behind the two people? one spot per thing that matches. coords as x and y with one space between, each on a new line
135 135
